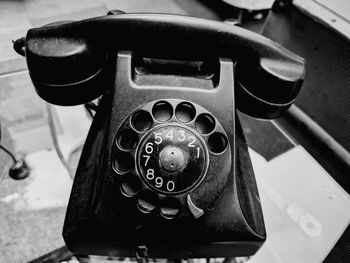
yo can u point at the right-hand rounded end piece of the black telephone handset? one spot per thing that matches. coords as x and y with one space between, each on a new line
267 88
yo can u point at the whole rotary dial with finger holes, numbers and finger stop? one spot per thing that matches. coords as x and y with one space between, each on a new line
169 157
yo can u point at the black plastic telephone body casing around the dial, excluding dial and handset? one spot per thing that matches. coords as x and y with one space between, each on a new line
100 220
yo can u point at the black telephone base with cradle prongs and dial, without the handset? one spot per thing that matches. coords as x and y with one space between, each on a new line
216 213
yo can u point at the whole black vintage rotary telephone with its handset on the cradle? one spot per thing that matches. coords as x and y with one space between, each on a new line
165 169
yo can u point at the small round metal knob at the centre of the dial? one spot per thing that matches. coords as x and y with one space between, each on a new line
172 159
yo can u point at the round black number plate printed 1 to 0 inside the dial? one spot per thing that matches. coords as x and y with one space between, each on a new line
171 159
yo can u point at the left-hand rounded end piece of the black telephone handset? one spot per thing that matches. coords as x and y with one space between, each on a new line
65 69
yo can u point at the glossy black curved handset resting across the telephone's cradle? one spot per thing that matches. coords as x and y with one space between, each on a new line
67 60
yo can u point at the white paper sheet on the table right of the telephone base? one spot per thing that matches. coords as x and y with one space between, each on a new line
305 210
